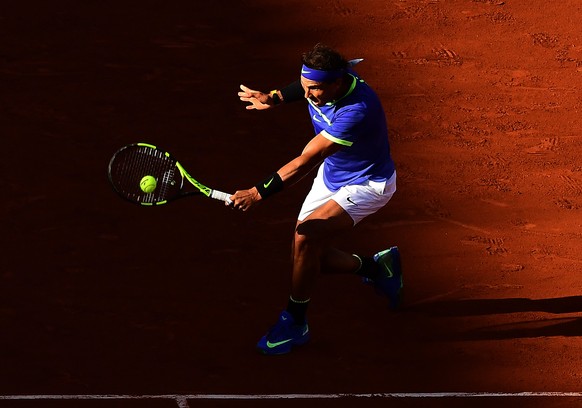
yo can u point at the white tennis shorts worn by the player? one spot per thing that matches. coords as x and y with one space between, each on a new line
358 201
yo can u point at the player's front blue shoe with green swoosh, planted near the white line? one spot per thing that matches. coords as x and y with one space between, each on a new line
283 336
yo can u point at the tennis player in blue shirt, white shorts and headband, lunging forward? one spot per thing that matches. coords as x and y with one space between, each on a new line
356 177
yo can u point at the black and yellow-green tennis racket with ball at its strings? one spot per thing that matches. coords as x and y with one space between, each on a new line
145 175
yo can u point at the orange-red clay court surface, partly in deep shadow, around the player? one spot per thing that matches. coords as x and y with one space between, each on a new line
100 297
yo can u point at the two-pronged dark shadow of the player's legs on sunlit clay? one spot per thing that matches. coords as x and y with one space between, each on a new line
521 326
